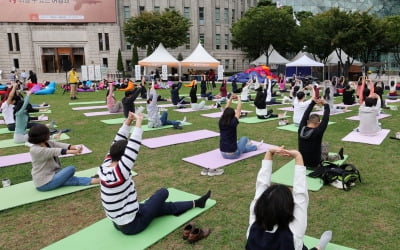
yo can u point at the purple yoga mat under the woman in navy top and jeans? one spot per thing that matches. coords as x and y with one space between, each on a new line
213 159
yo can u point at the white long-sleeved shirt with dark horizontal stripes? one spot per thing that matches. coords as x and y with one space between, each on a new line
118 193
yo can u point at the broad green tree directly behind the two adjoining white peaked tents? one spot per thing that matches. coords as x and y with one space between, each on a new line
149 29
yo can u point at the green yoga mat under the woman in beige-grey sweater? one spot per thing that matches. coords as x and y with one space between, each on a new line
25 193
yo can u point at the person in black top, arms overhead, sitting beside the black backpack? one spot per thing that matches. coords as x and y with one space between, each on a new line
310 133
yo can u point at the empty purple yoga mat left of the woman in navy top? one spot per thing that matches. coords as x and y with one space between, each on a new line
179 138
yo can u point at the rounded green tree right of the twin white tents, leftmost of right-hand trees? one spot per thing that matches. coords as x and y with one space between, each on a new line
264 26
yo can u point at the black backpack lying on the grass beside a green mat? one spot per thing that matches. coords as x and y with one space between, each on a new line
346 175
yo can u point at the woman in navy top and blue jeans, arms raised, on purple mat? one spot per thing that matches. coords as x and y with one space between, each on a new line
229 146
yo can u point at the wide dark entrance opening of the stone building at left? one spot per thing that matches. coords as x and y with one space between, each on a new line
55 60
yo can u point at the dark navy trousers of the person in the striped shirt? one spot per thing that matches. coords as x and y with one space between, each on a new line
154 207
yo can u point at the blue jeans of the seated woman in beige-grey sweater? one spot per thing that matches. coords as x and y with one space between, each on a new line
65 177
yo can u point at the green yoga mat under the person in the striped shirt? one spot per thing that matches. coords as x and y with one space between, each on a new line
103 235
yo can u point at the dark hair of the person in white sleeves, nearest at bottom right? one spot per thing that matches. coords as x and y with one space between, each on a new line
274 207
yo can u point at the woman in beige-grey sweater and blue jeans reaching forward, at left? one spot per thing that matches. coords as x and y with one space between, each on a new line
47 173
